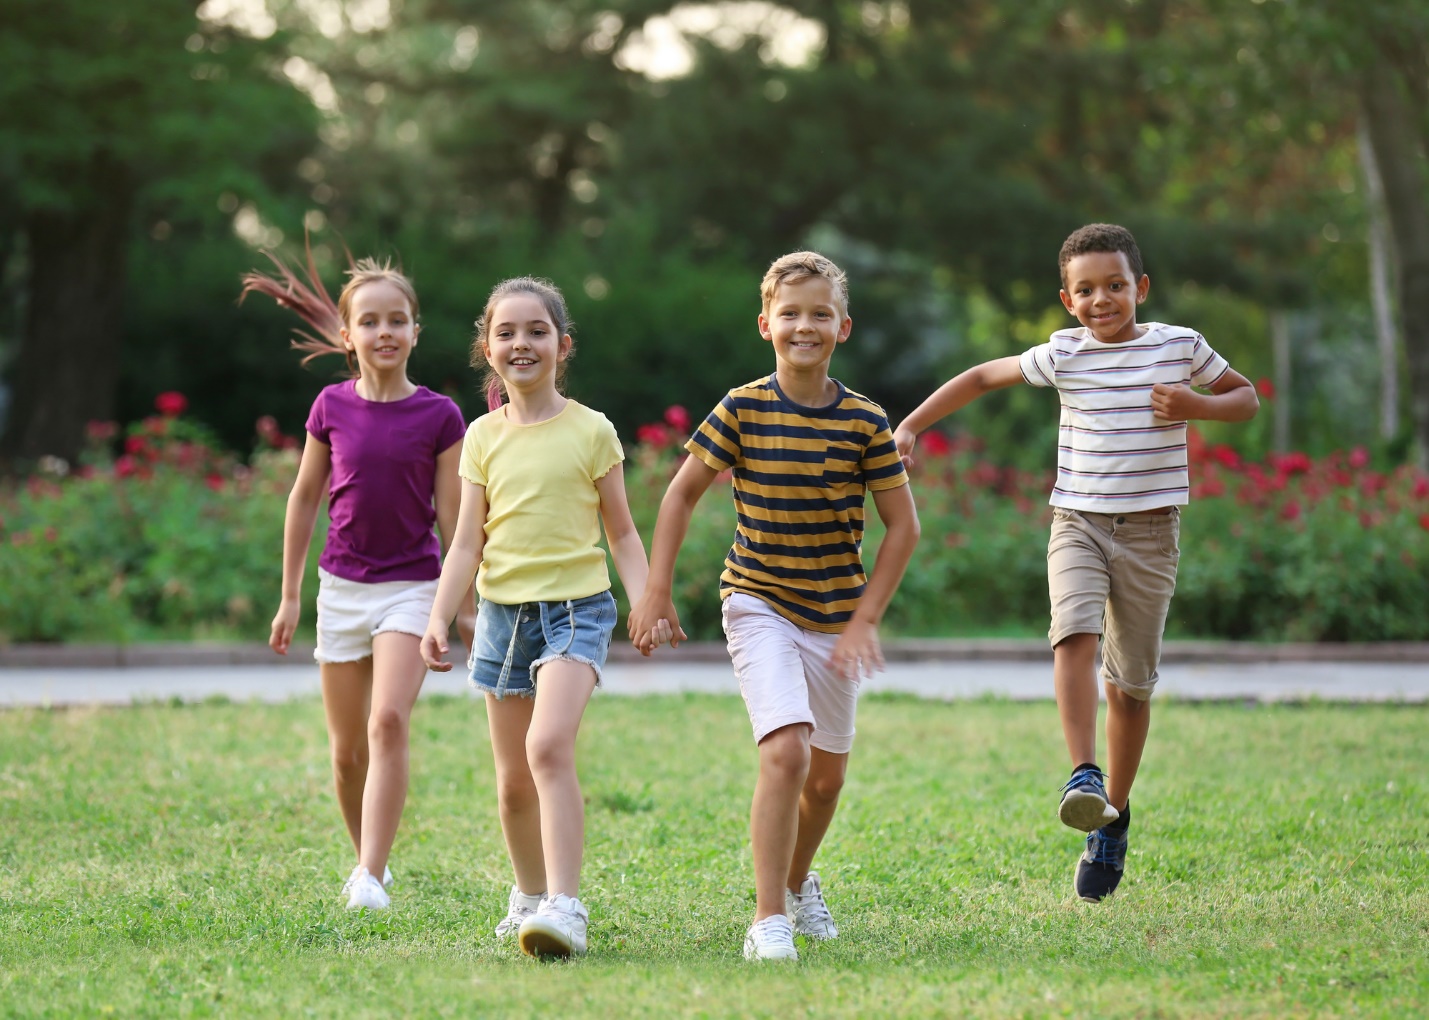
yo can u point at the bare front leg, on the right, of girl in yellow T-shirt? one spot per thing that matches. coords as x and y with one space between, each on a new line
564 689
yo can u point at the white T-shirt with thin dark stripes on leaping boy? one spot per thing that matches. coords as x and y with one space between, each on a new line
1114 455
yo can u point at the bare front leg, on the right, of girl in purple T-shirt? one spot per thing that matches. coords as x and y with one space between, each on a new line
397 678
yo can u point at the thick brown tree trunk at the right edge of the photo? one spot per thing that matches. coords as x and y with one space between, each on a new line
1394 136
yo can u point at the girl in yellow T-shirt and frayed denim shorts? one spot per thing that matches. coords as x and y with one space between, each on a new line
538 476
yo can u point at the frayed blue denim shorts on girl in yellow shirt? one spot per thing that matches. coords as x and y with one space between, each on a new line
514 642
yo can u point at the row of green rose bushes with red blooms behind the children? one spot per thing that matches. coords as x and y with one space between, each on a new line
162 536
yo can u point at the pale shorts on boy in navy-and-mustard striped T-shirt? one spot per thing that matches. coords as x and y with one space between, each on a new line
785 676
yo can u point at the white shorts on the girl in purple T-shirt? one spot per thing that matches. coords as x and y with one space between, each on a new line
352 614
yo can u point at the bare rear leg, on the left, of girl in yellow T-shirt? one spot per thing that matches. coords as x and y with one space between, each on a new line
517 801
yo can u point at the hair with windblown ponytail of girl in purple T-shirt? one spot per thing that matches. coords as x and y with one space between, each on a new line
312 304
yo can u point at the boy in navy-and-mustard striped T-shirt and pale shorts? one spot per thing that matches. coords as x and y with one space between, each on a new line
801 619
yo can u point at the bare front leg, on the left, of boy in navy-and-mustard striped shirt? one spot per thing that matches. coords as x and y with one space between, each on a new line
774 818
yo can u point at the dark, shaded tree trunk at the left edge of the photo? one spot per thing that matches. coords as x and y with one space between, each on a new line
66 372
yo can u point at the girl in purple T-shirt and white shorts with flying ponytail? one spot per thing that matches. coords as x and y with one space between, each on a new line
384 451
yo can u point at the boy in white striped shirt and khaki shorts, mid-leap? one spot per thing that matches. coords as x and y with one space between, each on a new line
1127 396
